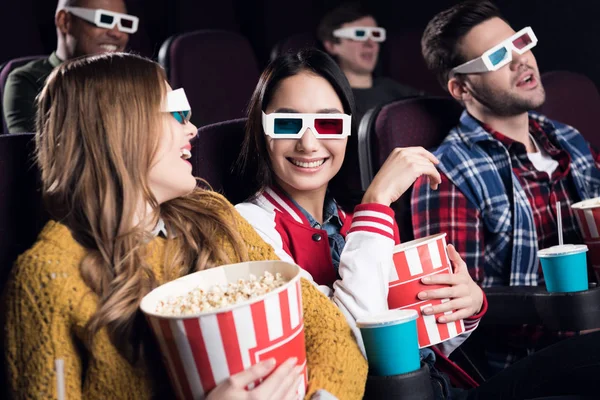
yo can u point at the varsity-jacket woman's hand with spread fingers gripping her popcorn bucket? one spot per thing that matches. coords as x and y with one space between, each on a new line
466 297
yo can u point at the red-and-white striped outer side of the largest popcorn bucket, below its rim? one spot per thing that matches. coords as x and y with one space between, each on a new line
202 352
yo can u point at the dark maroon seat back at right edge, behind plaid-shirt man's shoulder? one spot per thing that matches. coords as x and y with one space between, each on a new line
573 99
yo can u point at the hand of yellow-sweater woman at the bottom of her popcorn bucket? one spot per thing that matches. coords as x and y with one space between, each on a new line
282 384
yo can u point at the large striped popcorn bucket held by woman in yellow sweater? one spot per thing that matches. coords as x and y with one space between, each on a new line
202 350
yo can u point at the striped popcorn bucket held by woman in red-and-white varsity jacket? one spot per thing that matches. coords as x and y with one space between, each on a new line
413 261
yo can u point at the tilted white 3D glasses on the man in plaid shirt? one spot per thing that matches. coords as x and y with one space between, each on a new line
499 55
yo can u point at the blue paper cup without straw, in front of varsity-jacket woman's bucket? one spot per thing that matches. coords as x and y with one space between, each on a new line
391 342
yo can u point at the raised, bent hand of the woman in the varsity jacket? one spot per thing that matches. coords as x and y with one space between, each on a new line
401 169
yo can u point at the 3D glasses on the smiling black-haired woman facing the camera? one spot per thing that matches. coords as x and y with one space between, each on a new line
293 125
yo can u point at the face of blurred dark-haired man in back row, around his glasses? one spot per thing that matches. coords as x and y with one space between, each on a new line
359 57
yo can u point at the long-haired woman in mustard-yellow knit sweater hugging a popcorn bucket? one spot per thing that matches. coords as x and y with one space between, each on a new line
127 216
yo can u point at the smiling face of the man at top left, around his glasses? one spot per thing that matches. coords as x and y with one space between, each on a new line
85 38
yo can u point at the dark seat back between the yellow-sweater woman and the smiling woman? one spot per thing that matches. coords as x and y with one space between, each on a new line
214 153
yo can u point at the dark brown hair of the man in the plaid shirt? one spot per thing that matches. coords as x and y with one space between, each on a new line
444 32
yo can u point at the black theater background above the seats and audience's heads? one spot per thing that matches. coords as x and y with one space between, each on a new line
567 30
